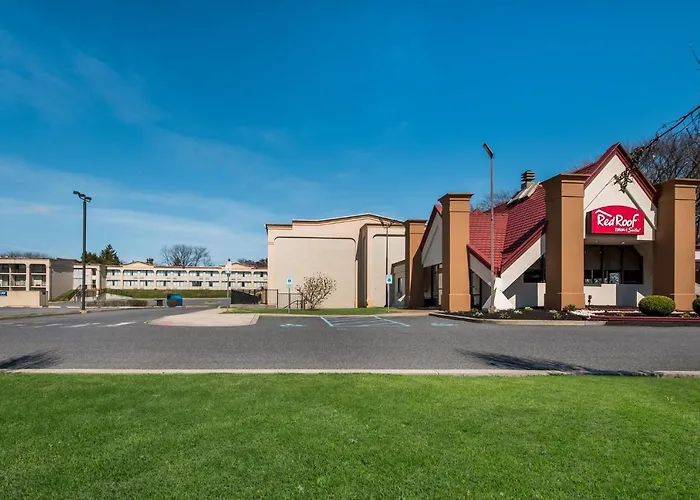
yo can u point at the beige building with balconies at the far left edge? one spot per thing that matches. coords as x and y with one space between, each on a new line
33 282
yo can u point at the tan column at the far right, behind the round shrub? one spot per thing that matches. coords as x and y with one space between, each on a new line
674 243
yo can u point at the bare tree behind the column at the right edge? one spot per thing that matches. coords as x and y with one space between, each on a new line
671 156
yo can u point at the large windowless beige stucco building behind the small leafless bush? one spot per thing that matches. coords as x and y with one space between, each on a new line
356 251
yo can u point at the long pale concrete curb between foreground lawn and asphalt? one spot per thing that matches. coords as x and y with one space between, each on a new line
477 372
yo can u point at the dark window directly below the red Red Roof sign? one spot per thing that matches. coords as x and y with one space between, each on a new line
615 265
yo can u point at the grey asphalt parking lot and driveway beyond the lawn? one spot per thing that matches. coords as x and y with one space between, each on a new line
124 339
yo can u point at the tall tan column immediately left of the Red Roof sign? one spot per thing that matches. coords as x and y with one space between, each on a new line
564 247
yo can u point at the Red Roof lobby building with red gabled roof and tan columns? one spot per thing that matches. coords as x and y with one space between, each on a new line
601 236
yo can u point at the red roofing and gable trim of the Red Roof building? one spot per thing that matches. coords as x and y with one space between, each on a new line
520 224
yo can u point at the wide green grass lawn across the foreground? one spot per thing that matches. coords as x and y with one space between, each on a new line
348 436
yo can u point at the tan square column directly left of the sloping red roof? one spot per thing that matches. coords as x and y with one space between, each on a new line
456 295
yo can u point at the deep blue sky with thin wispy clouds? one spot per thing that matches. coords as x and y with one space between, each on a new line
198 122
